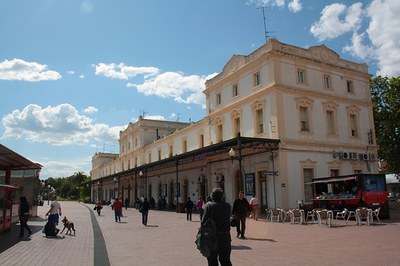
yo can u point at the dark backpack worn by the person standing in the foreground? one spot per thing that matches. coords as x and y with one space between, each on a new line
206 238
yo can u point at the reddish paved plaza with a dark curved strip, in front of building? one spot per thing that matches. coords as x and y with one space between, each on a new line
169 240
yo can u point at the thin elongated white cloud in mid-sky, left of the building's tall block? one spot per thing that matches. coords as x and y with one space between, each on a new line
121 71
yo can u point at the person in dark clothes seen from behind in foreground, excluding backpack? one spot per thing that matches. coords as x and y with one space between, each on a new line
220 211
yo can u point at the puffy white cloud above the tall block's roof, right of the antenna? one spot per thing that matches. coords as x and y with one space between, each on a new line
337 19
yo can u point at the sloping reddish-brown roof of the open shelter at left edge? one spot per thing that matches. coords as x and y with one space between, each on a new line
10 160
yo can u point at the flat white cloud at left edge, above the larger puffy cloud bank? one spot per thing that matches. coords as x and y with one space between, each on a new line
18 69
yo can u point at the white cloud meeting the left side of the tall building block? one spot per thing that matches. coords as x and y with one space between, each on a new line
175 85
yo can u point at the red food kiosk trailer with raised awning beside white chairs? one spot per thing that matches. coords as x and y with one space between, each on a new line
351 192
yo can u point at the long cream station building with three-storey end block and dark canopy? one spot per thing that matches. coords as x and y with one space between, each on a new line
290 114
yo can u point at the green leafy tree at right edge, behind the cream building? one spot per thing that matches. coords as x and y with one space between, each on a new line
386 99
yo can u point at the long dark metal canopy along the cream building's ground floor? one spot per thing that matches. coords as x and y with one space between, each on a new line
250 146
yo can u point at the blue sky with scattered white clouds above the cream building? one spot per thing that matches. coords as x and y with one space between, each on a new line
74 73
